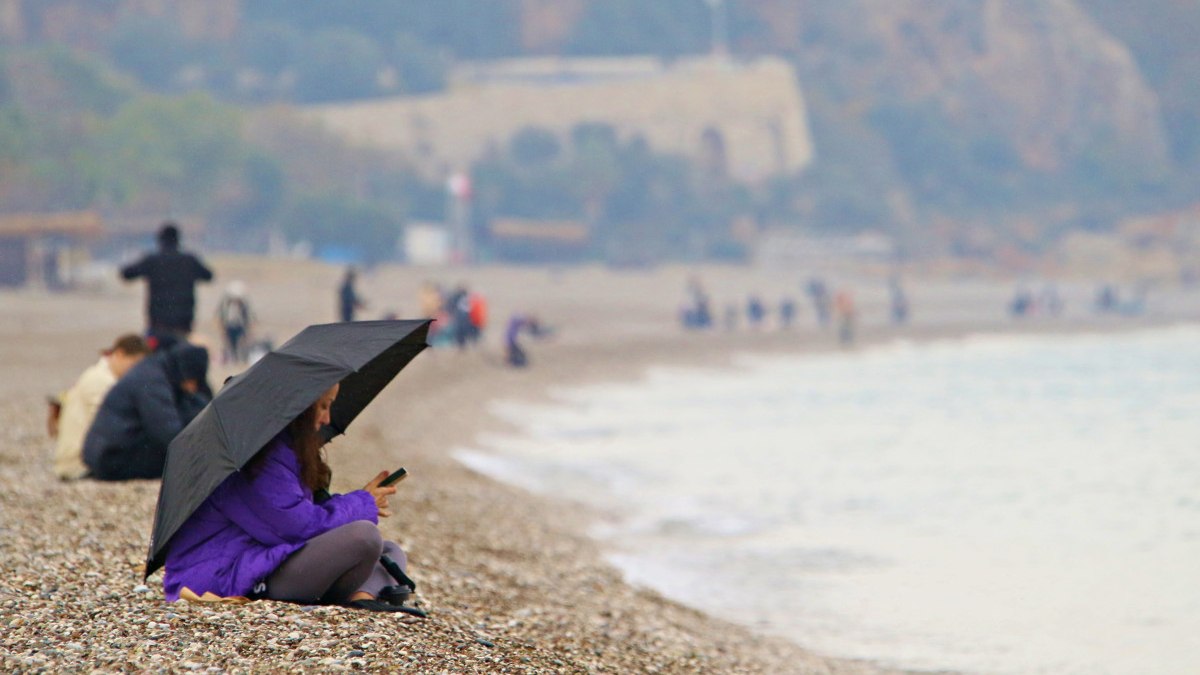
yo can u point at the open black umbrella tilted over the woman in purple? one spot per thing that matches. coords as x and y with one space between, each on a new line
256 405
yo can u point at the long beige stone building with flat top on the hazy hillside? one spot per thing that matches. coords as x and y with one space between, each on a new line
753 111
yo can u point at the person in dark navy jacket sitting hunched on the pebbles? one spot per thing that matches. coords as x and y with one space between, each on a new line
145 411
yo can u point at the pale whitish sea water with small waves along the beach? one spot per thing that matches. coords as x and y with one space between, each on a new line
989 505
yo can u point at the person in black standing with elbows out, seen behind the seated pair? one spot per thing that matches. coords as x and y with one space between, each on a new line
171 277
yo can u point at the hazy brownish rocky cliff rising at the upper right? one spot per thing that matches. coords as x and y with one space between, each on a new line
1041 74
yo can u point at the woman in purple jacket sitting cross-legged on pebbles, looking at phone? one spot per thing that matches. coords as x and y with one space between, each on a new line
261 535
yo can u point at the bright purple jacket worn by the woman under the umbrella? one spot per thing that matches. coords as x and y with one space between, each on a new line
250 524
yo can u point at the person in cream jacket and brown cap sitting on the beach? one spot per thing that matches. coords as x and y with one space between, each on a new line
71 414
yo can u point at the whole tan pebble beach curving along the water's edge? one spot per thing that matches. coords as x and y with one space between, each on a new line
511 578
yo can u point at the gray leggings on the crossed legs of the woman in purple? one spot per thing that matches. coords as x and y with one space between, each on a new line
337 565
